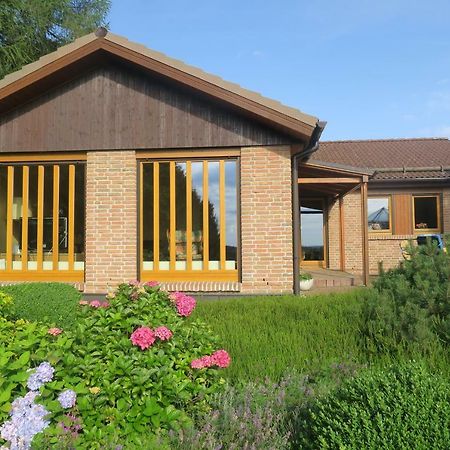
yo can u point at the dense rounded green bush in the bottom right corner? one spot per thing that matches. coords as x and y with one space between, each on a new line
402 406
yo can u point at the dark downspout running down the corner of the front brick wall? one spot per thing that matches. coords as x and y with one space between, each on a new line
304 154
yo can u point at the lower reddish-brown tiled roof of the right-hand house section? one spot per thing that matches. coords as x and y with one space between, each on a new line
392 159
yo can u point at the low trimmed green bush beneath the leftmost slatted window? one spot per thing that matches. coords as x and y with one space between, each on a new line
45 302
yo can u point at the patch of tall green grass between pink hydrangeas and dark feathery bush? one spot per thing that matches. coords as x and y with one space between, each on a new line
268 335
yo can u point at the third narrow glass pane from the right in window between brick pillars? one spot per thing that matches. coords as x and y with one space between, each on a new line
197 216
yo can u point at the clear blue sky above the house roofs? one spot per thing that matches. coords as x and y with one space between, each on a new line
371 69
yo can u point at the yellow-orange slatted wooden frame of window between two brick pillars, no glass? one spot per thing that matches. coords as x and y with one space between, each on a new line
189 274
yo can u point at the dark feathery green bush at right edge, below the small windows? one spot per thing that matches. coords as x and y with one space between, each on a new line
411 304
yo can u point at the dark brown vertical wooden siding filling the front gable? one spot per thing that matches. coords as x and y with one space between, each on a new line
118 108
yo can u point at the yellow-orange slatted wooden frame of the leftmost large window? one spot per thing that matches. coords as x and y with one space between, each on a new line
45 164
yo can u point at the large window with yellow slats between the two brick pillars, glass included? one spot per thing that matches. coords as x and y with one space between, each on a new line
189 224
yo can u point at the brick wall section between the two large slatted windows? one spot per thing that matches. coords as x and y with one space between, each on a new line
110 219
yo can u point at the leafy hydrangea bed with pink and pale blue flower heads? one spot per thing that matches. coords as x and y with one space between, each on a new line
129 368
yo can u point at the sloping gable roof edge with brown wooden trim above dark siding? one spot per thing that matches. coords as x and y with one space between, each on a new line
271 112
